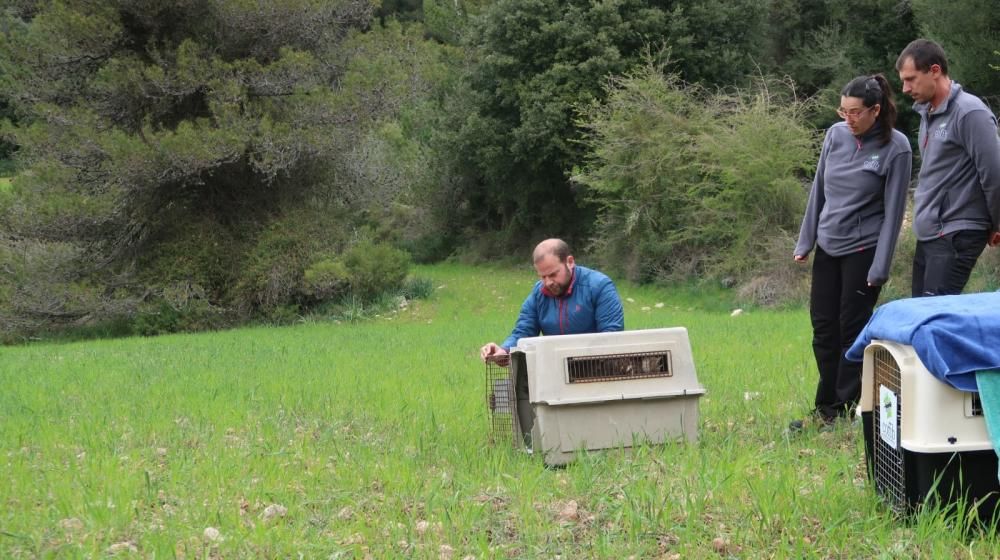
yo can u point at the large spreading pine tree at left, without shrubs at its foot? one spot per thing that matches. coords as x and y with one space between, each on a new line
139 115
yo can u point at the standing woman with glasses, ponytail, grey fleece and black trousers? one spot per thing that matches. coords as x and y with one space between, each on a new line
852 220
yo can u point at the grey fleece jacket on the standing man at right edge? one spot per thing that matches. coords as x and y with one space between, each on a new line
959 184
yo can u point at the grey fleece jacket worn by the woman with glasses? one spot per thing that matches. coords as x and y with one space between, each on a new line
858 197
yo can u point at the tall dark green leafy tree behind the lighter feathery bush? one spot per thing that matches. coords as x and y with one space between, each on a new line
536 61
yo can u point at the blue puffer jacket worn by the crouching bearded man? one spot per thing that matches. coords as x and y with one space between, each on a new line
590 304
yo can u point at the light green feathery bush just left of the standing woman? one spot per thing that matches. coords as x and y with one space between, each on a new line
693 183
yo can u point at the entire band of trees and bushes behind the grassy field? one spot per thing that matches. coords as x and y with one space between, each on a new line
193 163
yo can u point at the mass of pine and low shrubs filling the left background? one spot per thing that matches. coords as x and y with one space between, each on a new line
203 156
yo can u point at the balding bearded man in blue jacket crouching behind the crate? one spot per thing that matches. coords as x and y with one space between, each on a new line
567 299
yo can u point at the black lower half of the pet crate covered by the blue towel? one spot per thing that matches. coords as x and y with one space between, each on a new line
941 477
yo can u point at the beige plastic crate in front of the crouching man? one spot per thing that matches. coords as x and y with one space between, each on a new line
608 390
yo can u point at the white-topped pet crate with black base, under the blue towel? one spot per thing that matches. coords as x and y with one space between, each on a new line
923 437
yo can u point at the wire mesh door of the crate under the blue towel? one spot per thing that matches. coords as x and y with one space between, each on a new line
888 458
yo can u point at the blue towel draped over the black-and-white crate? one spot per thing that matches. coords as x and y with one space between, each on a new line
954 336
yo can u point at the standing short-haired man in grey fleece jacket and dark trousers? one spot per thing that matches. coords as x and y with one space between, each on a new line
957 201
